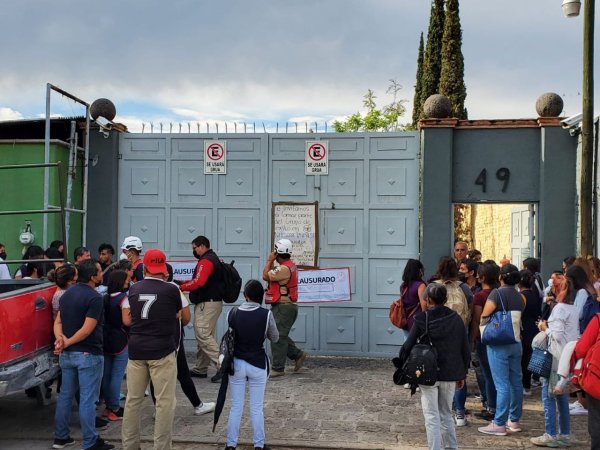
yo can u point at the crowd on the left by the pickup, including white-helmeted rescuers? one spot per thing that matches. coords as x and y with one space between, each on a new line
124 317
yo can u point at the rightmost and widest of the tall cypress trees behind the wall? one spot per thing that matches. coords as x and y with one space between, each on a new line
452 82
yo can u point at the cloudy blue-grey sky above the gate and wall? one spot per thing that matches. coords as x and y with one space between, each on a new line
235 61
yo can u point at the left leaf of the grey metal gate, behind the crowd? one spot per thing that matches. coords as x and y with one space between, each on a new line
166 199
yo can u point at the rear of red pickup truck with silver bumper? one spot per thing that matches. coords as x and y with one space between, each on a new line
26 337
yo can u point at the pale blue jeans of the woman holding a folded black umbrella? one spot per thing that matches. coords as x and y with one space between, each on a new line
257 381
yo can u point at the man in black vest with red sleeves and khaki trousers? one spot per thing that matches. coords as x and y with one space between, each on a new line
206 294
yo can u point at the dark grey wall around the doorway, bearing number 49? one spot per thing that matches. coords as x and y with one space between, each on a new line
541 158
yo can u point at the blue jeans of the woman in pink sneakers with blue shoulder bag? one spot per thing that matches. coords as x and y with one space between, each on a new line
505 364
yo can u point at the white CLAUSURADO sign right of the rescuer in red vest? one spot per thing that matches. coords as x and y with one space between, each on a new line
324 285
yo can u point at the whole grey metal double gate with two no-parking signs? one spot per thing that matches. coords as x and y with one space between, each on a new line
368 216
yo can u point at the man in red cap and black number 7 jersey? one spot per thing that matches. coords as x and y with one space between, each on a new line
152 309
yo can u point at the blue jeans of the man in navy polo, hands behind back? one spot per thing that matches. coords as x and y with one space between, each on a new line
81 371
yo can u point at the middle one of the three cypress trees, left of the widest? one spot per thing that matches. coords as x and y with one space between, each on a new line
432 63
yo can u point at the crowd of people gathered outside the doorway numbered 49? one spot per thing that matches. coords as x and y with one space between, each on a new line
453 310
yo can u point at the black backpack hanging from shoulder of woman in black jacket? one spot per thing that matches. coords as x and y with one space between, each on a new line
421 366
